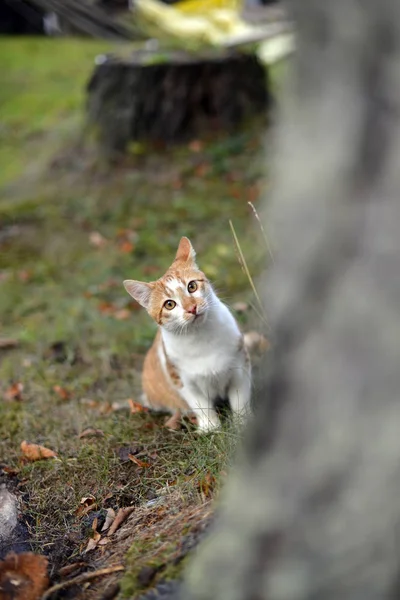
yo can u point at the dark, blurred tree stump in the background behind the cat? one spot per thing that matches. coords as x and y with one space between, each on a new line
173 97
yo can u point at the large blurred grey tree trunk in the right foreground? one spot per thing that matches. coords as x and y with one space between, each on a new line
312 510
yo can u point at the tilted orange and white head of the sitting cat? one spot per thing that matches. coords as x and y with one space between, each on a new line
181 299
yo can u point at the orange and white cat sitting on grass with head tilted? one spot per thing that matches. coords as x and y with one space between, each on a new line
198 355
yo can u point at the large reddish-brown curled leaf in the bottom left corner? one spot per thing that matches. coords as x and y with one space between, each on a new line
23 576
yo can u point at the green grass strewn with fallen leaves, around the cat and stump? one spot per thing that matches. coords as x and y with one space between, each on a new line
61 295
